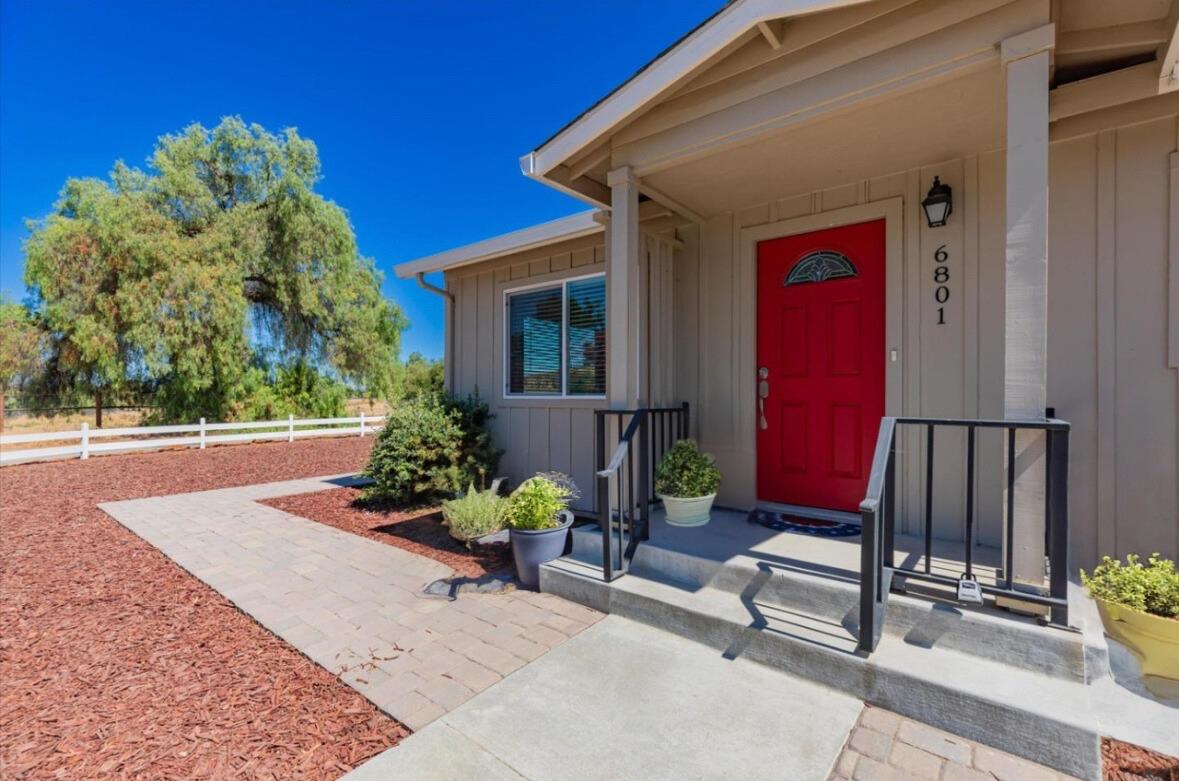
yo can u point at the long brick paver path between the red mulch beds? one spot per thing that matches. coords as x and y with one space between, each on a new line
352 605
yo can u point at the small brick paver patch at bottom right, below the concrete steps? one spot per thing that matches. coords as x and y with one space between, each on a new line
887 747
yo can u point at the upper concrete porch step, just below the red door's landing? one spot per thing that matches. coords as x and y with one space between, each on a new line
833 598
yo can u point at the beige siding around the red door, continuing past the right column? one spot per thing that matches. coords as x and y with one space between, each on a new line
1114 313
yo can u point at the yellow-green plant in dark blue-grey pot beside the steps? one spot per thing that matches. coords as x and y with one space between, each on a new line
539 521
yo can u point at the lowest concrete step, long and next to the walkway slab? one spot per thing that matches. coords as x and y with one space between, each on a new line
1042 718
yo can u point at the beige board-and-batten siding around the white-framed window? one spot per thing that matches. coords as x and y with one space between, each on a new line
546 435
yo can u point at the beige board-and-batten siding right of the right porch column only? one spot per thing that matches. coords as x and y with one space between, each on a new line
1114 327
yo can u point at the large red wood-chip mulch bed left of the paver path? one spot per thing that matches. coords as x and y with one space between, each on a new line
117 664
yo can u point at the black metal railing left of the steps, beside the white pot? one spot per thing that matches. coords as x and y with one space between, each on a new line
625 483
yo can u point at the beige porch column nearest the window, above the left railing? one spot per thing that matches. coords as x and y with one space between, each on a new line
623 291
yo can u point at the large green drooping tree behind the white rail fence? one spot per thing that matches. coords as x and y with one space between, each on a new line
218 259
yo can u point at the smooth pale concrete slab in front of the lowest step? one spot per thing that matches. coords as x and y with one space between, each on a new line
627 701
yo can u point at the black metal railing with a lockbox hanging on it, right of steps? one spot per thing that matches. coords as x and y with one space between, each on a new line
878 515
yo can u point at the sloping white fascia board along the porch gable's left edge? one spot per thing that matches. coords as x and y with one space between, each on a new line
650 83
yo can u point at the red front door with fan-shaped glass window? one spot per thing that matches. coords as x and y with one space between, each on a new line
821 365
